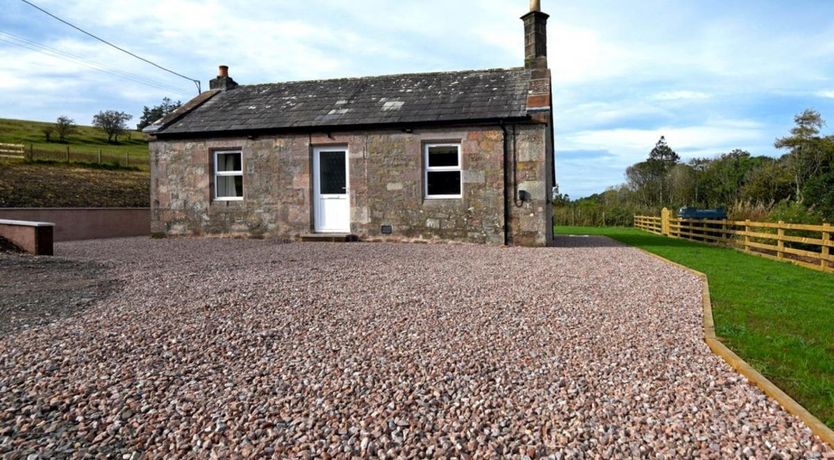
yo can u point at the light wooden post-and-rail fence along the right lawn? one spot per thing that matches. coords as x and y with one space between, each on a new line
806 245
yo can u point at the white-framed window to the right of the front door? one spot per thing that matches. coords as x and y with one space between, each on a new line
443 177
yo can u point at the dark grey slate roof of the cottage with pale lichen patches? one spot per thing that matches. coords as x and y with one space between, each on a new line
411 98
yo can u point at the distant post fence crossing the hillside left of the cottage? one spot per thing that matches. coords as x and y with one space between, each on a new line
73 153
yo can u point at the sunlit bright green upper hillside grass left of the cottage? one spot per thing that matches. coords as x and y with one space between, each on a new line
84 144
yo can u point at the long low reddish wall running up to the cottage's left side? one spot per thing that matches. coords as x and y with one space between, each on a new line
87 223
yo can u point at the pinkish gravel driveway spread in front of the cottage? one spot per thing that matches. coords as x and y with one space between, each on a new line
239 347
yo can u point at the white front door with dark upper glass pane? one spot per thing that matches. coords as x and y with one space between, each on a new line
331 194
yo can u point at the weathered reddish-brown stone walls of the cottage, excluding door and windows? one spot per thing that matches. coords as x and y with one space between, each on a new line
386 187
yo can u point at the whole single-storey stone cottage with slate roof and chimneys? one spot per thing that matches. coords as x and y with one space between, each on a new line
449 156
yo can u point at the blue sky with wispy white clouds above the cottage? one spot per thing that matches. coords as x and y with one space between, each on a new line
709 75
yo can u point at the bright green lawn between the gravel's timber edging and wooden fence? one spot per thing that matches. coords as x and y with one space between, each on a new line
777 316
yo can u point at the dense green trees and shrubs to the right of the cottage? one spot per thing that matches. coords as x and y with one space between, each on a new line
796 187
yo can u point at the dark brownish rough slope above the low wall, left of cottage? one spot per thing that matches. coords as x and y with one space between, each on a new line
39 185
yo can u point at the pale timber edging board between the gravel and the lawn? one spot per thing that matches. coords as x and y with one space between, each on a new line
816 426
